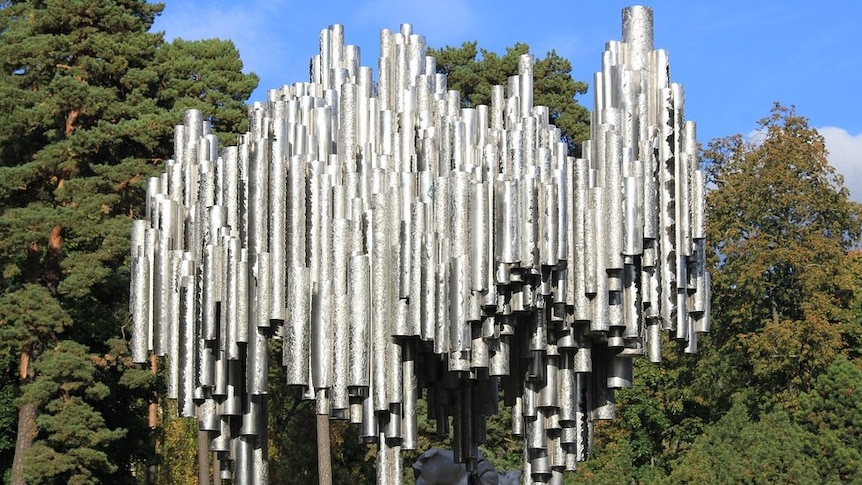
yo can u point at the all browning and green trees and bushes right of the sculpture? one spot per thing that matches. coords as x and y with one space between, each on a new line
770 396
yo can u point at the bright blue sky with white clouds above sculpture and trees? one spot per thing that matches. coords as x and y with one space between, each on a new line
734 57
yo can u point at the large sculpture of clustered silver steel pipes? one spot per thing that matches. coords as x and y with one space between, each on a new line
399 244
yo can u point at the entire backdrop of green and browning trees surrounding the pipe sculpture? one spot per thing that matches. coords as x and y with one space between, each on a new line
88 100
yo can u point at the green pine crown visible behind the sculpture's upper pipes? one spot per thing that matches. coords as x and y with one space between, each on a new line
474 72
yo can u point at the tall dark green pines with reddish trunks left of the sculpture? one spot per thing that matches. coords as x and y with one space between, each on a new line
89 99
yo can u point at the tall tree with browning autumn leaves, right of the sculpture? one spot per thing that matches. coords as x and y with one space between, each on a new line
780 224
